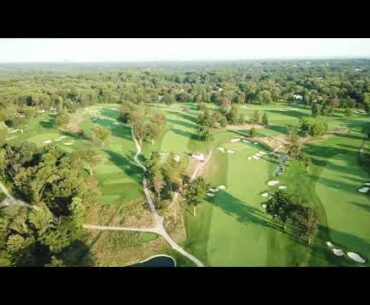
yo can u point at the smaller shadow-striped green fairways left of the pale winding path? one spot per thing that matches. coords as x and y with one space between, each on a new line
117 174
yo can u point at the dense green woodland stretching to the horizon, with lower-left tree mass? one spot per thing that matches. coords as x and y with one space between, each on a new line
53 181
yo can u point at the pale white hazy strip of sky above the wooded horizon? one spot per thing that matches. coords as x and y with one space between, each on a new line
170 49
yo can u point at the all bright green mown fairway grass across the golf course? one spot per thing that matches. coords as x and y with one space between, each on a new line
232 228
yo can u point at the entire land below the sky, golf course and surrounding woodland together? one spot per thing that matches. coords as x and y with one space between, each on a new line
242 164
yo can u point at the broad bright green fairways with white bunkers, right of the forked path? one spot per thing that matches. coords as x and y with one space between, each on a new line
232 228
